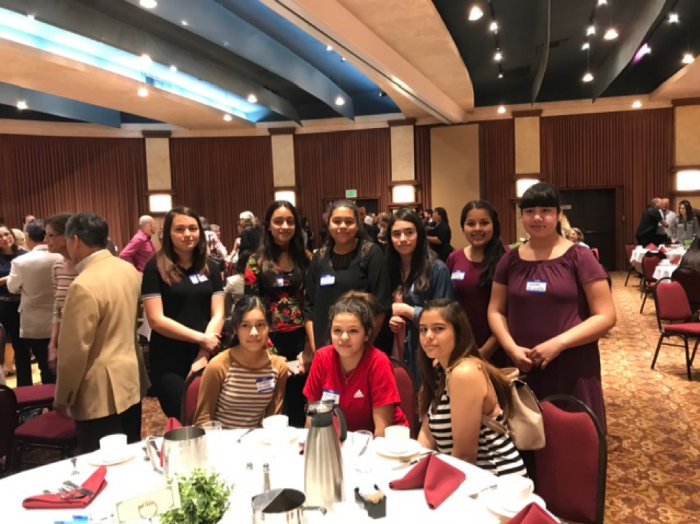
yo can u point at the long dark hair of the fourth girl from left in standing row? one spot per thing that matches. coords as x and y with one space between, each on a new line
421 261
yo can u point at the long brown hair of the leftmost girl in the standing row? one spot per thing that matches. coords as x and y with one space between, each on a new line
166 257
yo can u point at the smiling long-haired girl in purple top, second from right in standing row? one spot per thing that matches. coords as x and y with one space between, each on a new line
472 270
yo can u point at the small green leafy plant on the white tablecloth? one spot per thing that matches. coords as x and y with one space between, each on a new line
204 499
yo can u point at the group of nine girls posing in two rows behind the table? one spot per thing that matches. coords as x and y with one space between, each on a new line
541 307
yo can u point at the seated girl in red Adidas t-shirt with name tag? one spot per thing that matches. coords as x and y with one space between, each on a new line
354 374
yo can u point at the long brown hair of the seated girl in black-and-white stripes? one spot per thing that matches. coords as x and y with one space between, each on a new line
433 378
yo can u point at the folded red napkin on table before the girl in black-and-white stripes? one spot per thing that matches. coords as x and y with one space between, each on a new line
437 478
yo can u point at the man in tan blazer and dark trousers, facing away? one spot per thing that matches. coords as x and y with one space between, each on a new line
101 374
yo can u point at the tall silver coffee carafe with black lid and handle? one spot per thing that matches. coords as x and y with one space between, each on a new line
323 463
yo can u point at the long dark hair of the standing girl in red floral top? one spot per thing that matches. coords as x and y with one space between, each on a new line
269 252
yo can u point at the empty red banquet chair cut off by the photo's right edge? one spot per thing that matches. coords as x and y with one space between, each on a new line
674 316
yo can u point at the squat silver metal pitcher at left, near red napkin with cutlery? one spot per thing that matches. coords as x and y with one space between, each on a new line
184 450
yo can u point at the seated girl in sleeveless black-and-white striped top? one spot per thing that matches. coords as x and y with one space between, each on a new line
459 387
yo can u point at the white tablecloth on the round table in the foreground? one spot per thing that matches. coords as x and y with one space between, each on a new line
136 477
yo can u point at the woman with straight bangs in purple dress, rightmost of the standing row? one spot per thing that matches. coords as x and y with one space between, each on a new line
550 303
